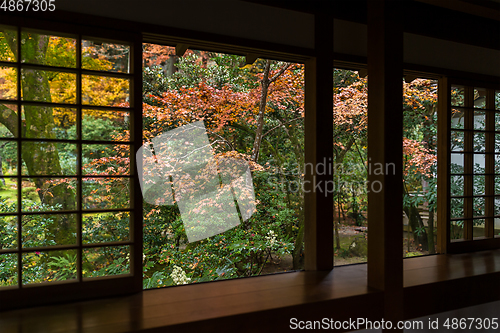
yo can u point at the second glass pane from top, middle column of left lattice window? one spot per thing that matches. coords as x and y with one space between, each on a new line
48 86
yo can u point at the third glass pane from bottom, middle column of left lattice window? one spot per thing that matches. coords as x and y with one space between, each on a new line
49 194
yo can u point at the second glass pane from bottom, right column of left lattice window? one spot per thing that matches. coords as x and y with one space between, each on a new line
105 227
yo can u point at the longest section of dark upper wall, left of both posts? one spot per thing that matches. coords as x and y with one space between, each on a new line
225 17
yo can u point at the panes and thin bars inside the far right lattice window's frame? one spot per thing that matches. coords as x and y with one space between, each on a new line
468 105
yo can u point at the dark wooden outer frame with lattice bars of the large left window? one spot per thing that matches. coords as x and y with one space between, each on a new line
81 288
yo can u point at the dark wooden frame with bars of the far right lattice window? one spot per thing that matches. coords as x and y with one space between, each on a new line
468 243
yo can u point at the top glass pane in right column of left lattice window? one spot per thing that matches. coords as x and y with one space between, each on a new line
105 56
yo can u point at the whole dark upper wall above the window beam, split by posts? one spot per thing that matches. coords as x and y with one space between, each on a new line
253 21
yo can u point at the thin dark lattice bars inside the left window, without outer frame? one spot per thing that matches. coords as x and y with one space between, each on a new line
19 249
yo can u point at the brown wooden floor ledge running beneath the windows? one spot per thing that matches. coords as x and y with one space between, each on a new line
266 304
